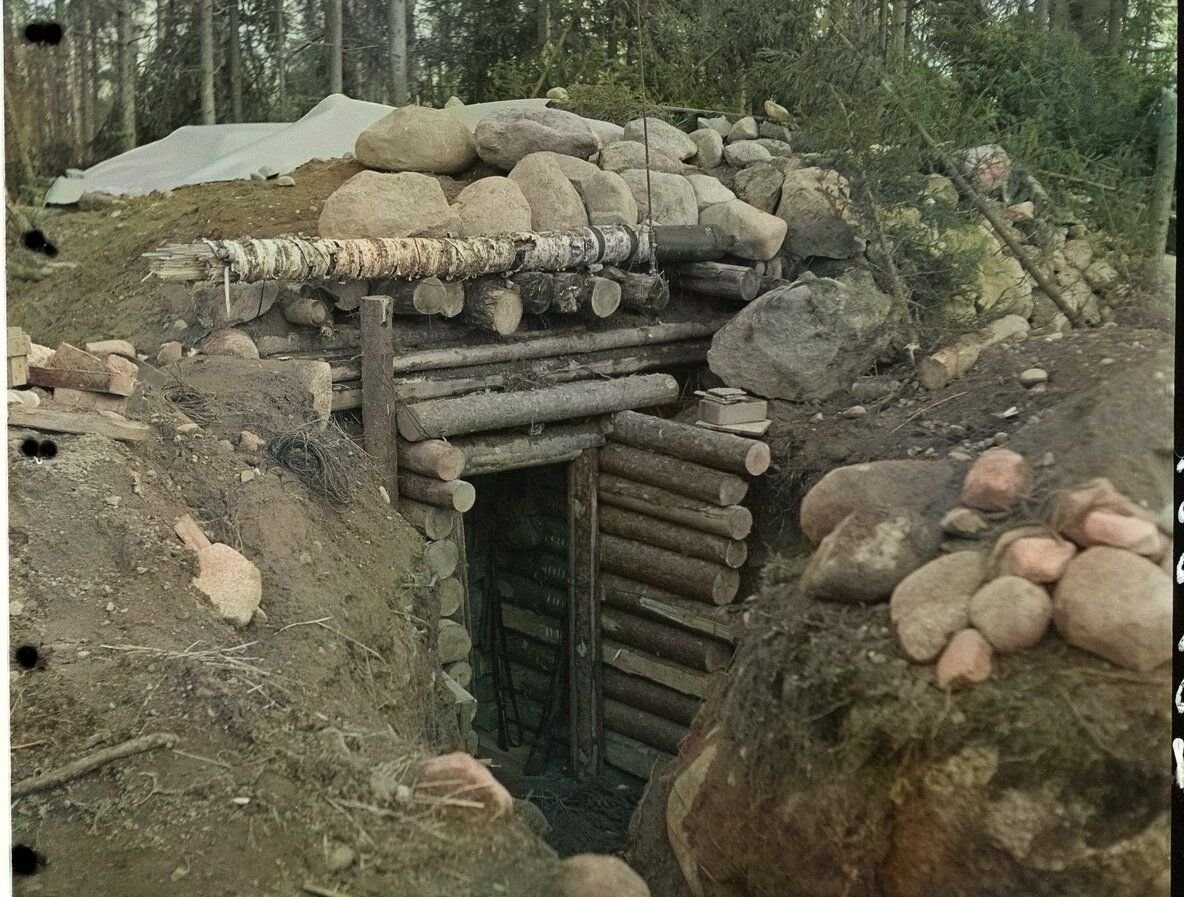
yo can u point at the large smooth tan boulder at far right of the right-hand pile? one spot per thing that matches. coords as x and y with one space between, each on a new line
1118 606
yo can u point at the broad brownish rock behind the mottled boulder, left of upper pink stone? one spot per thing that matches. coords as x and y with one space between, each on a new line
929 488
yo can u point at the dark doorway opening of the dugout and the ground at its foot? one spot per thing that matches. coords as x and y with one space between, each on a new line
519 575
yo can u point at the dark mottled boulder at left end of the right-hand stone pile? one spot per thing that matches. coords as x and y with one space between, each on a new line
865 558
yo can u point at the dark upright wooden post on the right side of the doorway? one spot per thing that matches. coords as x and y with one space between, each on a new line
584 618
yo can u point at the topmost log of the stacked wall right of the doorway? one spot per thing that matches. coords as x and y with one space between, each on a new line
687 442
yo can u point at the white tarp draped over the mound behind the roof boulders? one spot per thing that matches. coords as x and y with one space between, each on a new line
205 153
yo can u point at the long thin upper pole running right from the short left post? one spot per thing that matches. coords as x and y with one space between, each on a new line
525 347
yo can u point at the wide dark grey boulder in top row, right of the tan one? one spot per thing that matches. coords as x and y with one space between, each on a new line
505 139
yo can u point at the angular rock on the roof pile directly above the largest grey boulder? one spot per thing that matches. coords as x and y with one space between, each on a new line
816 203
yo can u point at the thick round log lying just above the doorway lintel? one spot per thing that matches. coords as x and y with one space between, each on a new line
475 414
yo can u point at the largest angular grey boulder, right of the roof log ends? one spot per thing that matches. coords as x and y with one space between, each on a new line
806 341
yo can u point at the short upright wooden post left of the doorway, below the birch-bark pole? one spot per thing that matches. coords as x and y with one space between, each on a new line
378 391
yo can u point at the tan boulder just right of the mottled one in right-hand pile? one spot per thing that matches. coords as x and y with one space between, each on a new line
934 603
